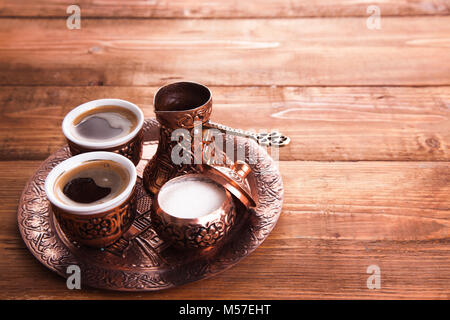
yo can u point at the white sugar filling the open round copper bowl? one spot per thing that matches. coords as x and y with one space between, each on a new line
191 198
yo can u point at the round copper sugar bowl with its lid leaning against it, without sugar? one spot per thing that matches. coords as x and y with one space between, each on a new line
210 229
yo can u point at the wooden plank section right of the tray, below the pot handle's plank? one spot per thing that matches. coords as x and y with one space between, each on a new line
390 192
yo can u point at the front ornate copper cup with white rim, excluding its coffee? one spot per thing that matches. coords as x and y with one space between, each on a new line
97 225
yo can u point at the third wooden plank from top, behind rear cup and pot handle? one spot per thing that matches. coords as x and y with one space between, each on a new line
326 124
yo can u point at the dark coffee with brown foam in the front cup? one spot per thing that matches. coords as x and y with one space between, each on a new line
93 182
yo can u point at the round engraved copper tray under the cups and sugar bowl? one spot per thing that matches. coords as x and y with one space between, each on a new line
140 260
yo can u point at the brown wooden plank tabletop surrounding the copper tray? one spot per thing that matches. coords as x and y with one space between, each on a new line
367 177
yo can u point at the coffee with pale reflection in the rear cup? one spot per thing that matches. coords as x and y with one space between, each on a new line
104 123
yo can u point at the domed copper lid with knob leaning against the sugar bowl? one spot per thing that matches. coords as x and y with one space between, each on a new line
233 179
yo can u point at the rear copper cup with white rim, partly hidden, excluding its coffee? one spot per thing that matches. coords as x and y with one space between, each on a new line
129 146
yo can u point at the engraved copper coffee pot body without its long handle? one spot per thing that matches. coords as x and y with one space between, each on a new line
180 105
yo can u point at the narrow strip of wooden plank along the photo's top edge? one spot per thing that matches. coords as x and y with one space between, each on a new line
221 9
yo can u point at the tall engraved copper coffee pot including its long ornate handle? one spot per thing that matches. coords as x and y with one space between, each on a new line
188 105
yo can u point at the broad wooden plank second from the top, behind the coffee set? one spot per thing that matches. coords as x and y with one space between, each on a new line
309 52
